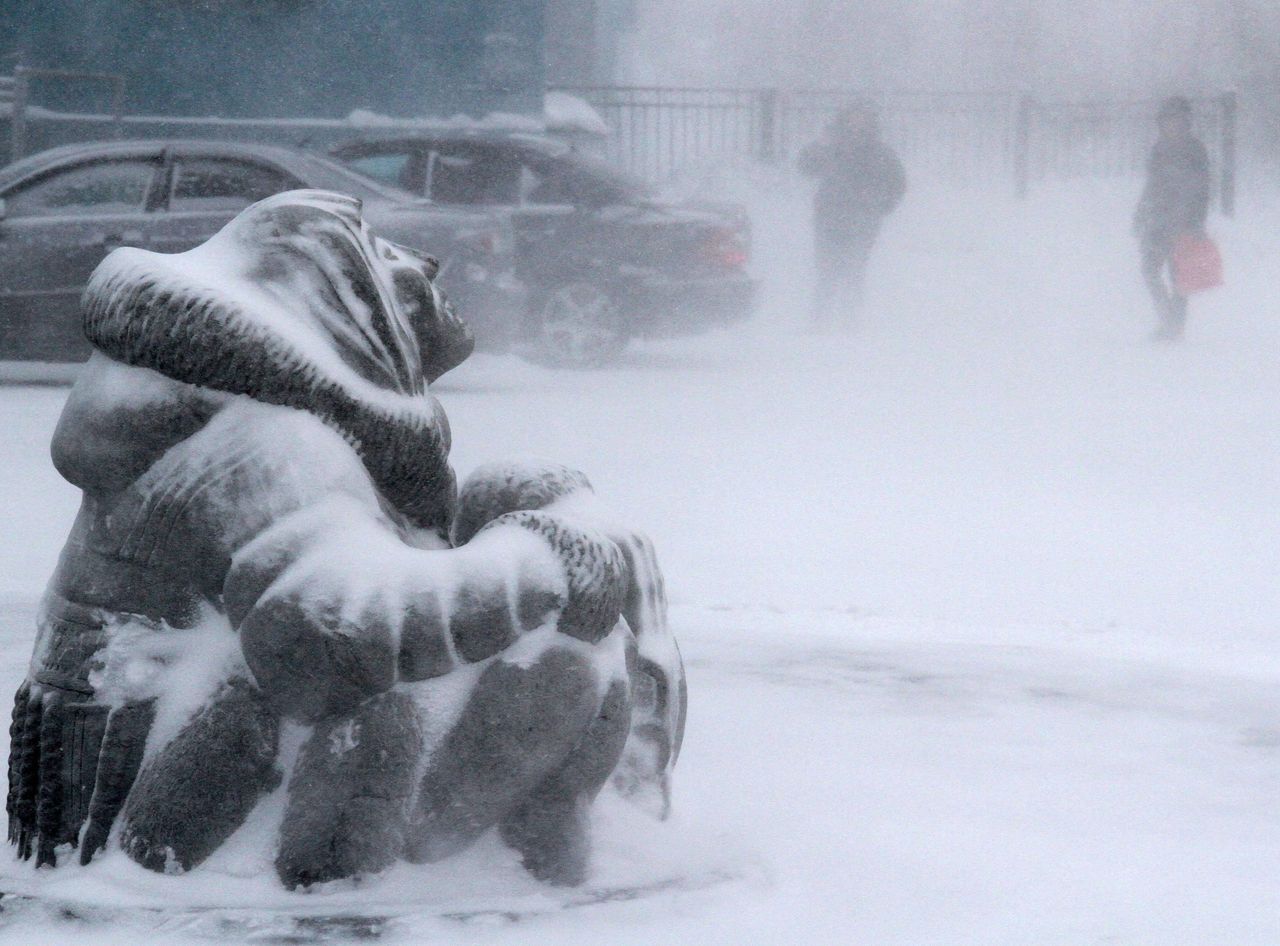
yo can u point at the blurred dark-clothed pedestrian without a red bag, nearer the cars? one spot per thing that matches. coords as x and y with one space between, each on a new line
861 181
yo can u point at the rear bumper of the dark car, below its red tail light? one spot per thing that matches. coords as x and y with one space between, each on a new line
659 307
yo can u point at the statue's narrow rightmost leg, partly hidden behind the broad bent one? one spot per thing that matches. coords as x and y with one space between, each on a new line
551 829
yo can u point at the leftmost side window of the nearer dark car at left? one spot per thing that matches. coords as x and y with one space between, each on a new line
99 188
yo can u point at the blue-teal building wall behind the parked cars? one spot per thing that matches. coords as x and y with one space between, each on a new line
289 58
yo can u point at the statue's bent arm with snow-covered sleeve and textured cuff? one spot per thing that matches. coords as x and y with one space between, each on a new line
333 607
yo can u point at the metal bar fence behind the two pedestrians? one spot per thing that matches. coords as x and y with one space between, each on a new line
986 138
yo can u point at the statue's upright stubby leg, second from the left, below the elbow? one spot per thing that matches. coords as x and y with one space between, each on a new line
349 794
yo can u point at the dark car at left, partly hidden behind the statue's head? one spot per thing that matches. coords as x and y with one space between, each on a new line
62 212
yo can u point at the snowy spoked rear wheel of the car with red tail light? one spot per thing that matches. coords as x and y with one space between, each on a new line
579 326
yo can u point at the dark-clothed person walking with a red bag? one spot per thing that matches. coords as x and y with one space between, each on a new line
1174 203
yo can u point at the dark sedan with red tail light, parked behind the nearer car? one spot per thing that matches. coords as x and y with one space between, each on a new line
602 258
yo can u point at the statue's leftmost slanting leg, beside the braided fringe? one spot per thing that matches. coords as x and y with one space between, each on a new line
202 787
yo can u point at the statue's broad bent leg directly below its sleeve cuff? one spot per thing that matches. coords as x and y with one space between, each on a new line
520 725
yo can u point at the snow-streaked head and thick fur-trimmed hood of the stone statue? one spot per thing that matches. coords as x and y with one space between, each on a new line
296 303
